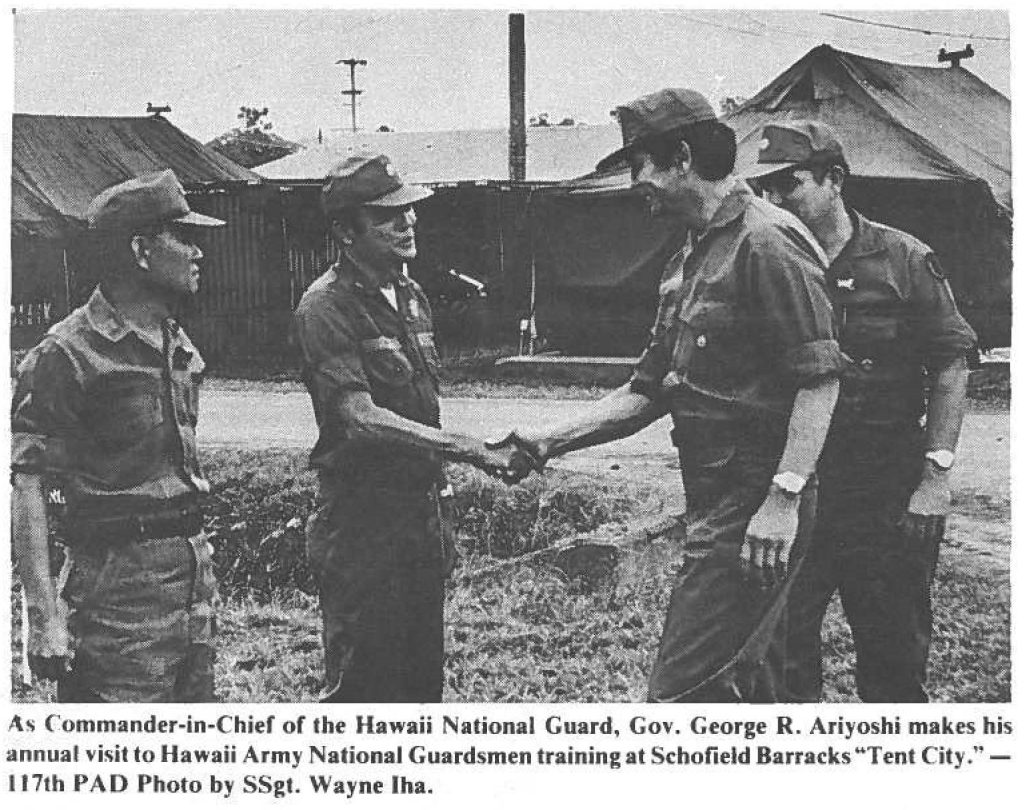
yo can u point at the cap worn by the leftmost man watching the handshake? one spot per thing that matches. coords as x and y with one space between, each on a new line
149 200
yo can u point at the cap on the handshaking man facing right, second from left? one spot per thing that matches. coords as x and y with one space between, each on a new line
368 181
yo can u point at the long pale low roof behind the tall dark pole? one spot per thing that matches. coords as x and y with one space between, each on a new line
458 156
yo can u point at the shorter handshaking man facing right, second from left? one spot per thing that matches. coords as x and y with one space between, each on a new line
377 541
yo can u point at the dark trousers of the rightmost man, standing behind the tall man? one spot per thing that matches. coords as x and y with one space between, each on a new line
884 580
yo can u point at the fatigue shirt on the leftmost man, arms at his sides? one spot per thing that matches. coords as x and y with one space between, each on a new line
110 412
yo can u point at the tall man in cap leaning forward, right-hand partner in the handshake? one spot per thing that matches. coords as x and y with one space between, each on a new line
744 356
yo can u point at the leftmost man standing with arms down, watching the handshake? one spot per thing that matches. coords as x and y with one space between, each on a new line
106 408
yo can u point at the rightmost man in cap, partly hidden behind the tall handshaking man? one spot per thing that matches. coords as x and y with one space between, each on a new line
884 480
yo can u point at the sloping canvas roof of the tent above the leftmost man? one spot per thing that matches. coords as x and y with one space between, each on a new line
60 163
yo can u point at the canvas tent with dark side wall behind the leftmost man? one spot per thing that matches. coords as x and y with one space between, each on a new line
60 163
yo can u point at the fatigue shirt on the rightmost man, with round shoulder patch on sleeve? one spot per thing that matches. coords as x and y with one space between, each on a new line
898 318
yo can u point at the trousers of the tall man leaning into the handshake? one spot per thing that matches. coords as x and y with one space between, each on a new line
724 636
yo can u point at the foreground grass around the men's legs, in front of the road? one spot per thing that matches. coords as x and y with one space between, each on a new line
525 634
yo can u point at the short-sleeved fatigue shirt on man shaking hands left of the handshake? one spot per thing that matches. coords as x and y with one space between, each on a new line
354 340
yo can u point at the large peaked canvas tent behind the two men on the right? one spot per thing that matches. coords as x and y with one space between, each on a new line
930 154
